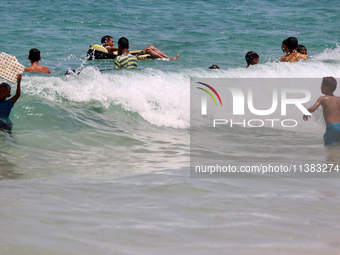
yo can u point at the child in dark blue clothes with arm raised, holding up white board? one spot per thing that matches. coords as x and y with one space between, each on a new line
6 105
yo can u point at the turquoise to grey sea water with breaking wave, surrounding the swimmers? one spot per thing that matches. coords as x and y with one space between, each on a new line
98 163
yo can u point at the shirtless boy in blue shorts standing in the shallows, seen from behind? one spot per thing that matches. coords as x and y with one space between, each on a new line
331 111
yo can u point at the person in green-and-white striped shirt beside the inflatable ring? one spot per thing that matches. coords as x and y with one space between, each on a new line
125 59
